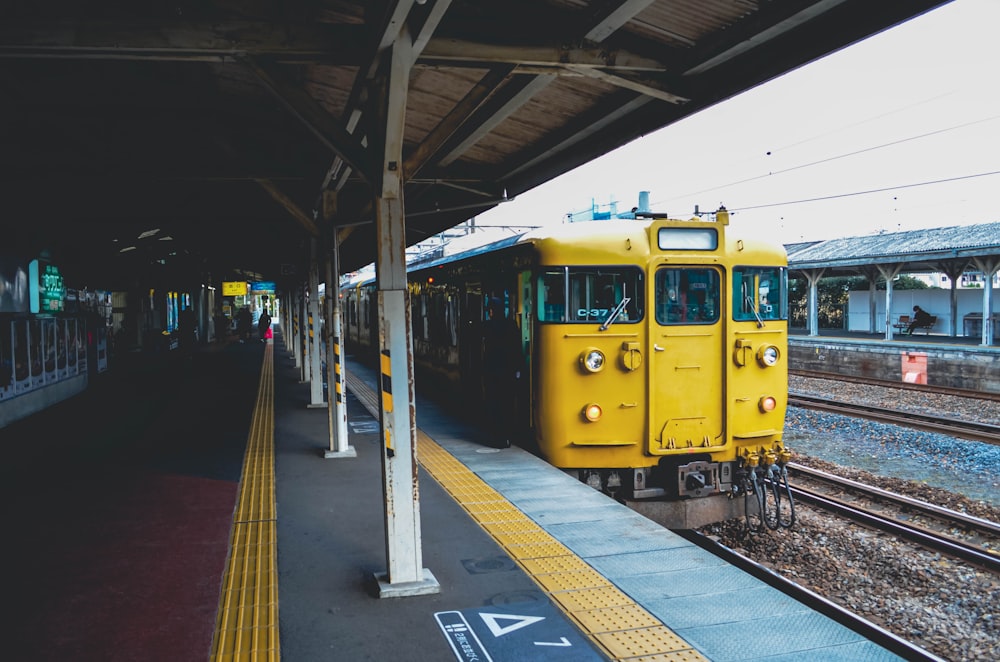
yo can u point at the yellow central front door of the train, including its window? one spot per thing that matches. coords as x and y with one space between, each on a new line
686 361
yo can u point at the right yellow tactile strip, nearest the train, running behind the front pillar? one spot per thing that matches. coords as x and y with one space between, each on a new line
619 626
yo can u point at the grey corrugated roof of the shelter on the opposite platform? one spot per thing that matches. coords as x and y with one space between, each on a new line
918 250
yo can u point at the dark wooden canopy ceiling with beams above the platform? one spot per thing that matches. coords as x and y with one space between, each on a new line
221 135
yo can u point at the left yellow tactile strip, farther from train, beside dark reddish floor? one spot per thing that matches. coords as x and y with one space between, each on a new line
247 619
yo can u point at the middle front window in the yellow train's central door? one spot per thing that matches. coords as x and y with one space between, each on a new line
687 296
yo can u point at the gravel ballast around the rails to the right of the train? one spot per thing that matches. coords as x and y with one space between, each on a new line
948 607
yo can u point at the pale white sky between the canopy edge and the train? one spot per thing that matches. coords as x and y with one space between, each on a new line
898 132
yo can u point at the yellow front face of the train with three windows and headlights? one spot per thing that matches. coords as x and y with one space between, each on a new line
672 384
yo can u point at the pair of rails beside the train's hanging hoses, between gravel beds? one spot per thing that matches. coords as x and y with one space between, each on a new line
888 512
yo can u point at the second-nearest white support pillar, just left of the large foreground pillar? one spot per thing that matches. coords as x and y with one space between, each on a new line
336 394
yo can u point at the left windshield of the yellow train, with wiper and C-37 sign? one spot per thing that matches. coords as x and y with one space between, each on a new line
592 293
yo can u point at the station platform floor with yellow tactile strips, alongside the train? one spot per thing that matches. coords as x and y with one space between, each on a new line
185 510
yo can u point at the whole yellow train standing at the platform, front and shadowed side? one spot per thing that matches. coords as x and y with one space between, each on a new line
646 356
